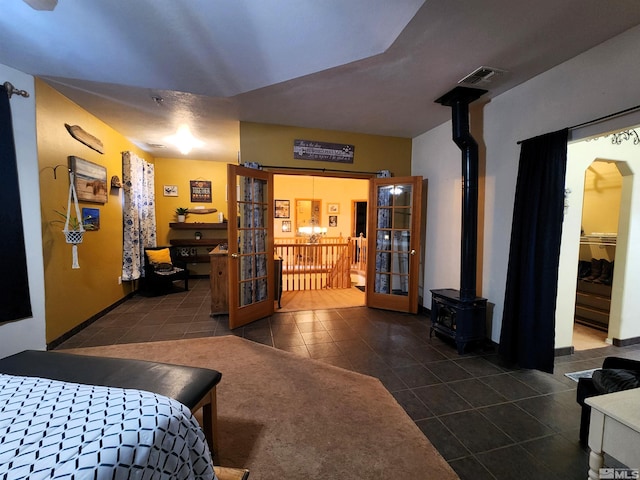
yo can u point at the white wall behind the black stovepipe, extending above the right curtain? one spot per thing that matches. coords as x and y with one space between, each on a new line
601 81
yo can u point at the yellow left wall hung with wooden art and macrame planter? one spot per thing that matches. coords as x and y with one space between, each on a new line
73 296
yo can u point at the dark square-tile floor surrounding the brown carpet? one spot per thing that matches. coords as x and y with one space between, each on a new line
488 421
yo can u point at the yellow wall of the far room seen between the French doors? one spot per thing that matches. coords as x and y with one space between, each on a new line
340 191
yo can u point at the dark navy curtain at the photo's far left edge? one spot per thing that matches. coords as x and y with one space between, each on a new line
14 283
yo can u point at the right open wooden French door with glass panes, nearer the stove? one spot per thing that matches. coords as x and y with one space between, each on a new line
394 243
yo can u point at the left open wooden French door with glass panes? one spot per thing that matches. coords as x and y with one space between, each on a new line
251 261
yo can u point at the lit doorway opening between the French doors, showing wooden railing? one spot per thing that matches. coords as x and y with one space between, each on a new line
315 213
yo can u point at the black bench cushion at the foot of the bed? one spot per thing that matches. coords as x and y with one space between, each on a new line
188 385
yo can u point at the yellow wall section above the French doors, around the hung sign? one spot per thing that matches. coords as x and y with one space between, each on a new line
273 145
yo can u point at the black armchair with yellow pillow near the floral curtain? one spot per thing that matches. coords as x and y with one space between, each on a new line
162 267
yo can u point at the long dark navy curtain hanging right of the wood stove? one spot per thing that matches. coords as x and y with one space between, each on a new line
528 322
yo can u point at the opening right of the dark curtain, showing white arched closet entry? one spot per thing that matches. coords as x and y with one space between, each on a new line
623 327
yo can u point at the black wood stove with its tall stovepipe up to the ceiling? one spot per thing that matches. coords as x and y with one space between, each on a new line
459 314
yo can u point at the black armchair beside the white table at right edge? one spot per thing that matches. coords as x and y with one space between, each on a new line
616 374
